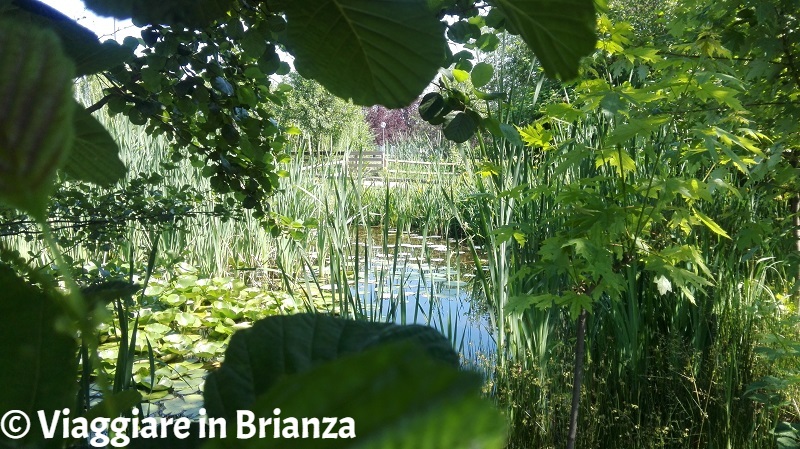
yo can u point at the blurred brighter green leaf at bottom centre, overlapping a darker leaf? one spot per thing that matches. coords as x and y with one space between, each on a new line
395 395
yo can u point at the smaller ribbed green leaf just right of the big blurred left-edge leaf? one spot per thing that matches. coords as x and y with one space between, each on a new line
95 155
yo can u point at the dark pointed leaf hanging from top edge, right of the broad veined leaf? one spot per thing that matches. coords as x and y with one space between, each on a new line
560 32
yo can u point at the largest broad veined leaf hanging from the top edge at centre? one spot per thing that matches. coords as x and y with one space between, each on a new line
370 51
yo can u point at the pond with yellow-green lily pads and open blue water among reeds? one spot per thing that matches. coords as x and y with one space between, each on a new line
404 278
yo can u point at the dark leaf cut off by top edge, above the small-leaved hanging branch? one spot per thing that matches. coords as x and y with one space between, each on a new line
174 12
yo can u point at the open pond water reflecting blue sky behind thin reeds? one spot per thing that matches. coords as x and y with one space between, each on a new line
415 279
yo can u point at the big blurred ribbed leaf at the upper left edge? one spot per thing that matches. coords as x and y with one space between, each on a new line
36 114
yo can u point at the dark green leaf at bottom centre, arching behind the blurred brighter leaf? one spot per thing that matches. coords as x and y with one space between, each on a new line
277 346
